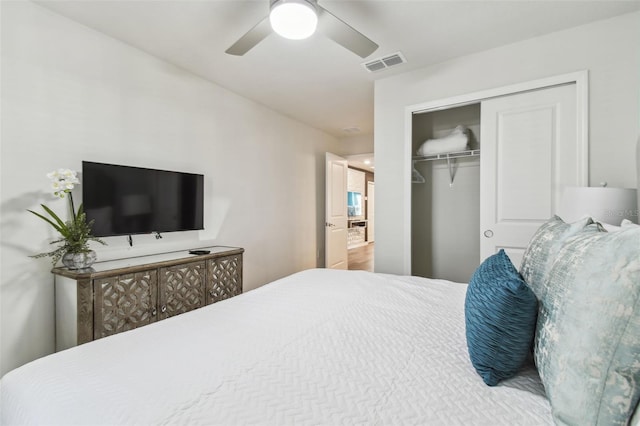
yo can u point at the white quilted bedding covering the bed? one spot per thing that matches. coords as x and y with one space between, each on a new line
318 347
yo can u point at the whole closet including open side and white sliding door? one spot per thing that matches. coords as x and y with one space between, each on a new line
524 148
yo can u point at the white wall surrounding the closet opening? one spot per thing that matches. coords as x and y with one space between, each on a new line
608 49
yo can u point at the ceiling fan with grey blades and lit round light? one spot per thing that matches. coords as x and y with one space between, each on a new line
298 19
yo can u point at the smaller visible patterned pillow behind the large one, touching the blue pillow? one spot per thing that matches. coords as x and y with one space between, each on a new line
543 249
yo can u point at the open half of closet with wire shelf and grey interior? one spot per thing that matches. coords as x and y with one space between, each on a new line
445 197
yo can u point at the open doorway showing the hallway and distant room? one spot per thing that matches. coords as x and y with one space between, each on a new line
361 213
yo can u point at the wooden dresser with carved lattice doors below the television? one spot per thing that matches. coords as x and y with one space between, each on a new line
121 295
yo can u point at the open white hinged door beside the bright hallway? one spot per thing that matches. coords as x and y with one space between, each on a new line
335 226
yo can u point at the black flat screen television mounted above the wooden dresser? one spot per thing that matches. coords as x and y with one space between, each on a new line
124 200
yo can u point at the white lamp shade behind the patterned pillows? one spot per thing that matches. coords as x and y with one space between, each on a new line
605 205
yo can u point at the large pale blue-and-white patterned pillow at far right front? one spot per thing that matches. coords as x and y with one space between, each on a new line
587 346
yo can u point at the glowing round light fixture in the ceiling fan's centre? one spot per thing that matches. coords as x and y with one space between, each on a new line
293 19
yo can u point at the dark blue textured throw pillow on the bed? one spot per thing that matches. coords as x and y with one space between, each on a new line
500 315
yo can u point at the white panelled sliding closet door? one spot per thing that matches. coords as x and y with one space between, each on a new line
529 153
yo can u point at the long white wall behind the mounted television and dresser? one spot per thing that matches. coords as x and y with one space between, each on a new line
71 94
